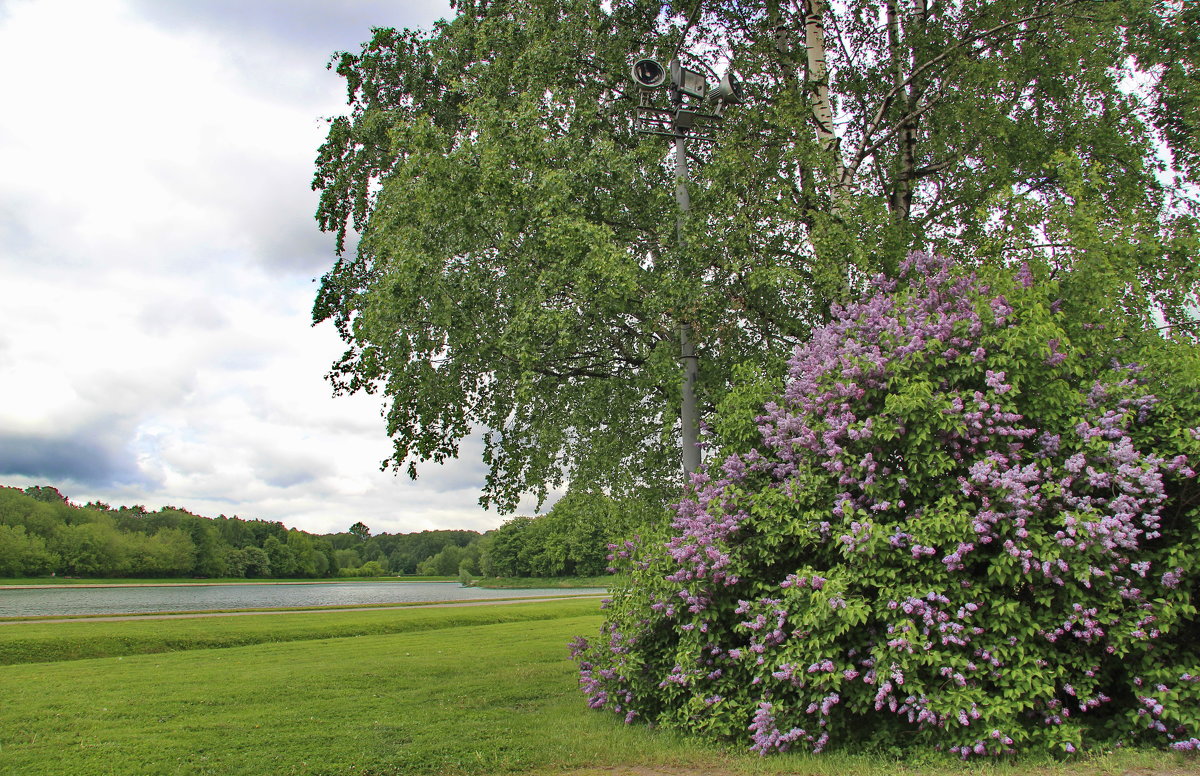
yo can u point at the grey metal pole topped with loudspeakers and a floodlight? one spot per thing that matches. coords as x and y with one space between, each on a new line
688 92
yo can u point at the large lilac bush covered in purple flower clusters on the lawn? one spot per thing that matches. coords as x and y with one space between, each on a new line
965 524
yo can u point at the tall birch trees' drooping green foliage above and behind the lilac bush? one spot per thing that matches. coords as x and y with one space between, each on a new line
519 269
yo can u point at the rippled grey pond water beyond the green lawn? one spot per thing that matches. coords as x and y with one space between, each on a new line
129 600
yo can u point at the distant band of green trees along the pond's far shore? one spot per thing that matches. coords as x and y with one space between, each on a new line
43 533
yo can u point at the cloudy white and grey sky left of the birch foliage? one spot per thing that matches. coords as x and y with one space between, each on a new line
158 256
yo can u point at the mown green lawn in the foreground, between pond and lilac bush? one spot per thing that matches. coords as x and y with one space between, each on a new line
481 690
